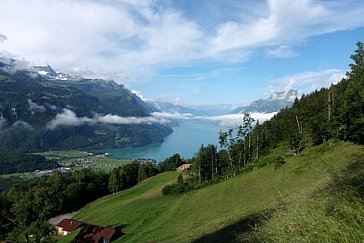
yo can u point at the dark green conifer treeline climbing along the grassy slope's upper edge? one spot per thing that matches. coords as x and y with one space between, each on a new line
330 113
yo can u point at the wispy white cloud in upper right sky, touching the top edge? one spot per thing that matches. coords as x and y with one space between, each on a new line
285 21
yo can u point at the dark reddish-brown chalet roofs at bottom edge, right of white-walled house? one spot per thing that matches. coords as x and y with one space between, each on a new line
96 234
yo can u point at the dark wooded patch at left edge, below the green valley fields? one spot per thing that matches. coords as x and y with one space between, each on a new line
19 162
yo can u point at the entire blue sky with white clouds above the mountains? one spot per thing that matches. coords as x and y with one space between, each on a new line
189 52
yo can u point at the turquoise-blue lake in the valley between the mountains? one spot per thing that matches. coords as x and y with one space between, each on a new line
185 140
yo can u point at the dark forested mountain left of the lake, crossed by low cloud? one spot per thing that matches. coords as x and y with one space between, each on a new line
41 109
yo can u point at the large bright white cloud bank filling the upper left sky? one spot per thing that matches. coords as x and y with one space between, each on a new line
71 34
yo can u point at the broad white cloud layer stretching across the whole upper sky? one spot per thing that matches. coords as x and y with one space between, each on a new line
132 38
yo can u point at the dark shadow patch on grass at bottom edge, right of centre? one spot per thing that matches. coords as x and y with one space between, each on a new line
241 231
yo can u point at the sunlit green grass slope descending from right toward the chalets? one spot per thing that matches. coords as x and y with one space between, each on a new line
224 209
